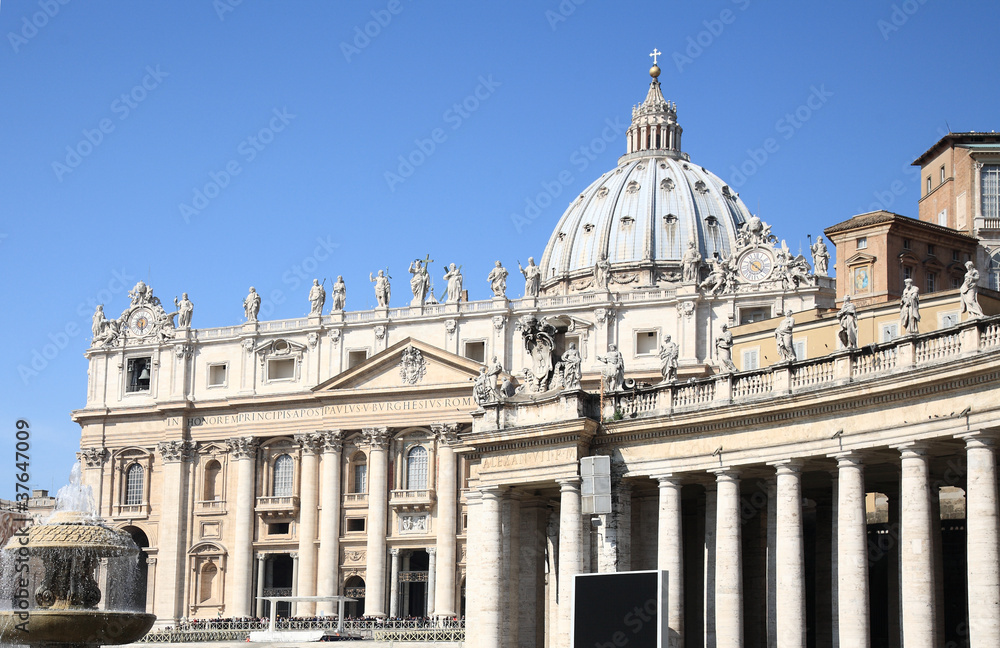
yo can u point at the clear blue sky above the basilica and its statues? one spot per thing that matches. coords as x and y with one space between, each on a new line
290 120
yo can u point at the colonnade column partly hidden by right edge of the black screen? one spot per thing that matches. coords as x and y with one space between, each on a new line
669 555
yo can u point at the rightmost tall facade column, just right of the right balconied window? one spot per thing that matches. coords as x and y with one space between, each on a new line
446 521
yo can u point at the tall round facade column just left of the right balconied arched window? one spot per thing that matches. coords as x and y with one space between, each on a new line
377 440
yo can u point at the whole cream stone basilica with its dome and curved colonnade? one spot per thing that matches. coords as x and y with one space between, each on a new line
800 487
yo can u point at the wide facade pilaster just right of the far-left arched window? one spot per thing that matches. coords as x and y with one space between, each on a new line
171 533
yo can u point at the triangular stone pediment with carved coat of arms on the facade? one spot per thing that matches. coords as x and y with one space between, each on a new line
407 365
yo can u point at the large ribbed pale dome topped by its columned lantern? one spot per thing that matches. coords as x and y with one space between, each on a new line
642 214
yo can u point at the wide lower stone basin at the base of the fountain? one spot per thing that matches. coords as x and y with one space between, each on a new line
74 628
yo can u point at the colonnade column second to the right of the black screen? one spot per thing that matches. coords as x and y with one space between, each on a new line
728 562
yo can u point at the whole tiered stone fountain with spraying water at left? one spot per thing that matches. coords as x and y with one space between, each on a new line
65 551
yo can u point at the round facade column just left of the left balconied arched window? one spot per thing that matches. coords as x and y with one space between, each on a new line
243 451
